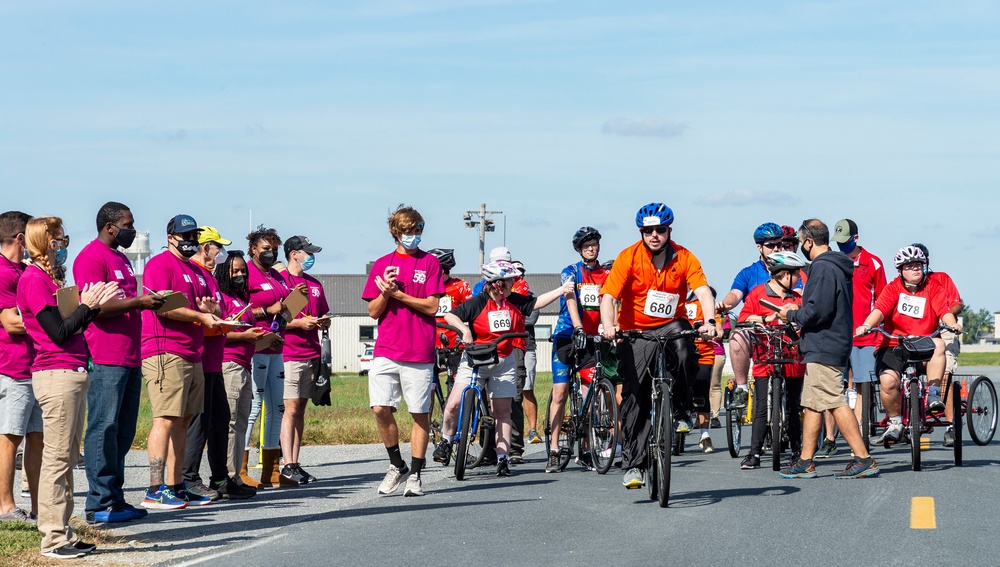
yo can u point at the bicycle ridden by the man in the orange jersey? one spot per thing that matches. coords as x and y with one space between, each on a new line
662 438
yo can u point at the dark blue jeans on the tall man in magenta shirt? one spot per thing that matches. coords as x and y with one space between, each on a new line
112 410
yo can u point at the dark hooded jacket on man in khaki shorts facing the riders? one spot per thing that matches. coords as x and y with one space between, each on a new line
826 316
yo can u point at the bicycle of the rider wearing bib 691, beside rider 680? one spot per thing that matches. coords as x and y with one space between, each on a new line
592 418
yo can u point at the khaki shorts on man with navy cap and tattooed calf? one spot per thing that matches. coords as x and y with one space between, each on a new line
175 386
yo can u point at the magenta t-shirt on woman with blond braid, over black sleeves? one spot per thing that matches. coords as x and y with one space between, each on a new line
35 291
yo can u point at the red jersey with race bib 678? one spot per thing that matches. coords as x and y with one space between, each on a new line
910 313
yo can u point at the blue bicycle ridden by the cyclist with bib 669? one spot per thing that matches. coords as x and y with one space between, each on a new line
475 419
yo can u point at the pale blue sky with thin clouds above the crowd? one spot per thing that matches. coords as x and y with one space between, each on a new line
321 117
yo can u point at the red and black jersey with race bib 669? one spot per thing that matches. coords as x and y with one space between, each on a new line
488 319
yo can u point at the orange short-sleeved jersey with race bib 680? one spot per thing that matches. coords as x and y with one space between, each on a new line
652 298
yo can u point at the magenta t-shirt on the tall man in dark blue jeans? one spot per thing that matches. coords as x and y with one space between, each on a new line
113 341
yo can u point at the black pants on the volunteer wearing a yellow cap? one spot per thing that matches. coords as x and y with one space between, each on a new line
211 427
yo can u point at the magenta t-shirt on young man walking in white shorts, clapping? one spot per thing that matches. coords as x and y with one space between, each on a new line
403 334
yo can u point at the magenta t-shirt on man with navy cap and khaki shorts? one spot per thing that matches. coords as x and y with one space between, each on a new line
161 335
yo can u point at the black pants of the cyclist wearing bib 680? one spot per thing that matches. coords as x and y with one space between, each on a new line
636 362
